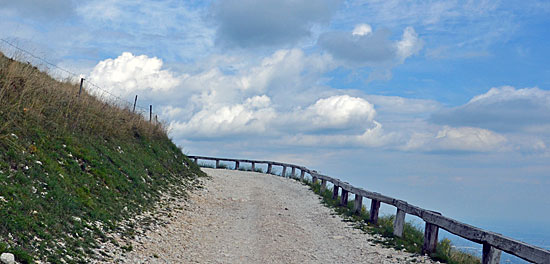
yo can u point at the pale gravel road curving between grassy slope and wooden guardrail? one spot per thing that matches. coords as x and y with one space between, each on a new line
248 217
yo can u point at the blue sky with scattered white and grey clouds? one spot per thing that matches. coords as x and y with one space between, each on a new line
444 104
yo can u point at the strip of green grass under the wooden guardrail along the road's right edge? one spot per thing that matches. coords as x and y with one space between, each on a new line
413 235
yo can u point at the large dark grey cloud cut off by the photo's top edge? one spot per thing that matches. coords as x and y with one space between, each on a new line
250 23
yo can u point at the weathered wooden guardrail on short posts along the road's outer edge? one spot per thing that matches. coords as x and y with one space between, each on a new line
493 243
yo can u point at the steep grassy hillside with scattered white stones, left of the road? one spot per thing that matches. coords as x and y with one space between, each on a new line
71 167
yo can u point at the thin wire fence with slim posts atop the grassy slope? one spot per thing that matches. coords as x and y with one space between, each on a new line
92 88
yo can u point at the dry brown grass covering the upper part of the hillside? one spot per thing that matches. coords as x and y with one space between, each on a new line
29 95
